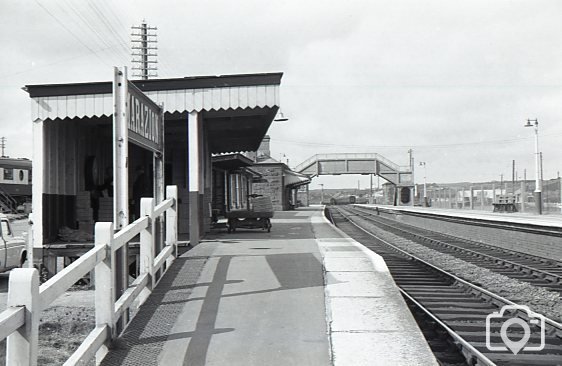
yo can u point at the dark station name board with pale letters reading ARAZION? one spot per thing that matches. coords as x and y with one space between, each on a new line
144 120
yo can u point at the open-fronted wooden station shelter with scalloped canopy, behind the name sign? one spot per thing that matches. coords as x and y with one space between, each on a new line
204 117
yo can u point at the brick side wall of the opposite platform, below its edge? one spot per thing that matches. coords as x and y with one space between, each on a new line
517 237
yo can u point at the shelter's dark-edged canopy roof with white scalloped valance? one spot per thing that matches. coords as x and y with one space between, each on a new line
237 109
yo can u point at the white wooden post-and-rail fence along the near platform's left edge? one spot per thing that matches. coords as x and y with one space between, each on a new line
19 323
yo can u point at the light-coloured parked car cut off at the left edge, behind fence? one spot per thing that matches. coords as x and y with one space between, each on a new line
13 252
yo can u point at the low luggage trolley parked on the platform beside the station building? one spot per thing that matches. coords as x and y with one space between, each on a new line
257 217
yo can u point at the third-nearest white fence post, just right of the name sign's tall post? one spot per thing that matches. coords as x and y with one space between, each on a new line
147 247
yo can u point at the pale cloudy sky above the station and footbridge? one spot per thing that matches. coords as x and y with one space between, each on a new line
453 80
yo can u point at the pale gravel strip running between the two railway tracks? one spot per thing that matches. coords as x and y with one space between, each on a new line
538 299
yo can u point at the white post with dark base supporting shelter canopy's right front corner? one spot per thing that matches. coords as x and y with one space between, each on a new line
194 175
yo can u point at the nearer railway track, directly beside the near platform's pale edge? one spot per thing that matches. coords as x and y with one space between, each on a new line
461 310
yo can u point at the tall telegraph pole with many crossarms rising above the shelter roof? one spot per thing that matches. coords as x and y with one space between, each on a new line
144 51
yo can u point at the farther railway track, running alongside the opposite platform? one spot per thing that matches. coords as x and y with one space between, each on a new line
524 267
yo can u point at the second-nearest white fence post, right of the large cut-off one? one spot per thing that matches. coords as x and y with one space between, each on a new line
104 280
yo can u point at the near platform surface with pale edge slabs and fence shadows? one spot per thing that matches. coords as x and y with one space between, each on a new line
304 294
